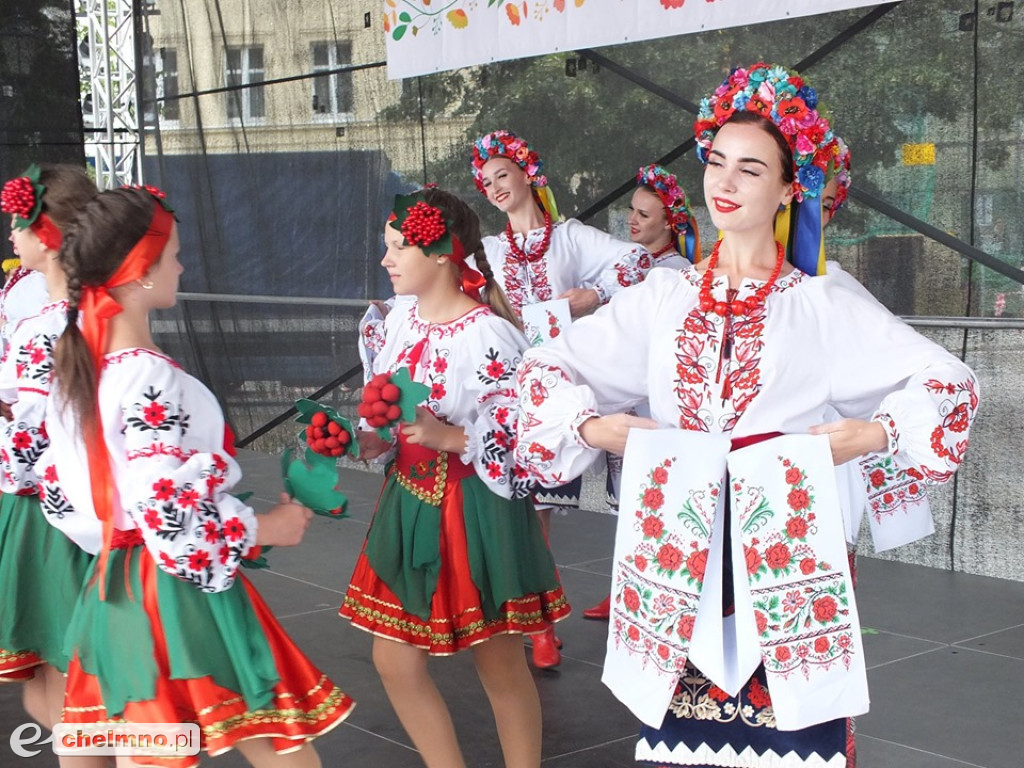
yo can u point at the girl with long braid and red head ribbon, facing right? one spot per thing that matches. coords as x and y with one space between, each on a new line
166 631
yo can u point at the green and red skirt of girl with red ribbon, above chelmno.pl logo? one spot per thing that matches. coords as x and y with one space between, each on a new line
158 651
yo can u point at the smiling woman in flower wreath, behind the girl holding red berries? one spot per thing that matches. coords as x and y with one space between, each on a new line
538 259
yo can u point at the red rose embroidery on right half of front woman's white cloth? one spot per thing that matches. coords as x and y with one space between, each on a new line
803 621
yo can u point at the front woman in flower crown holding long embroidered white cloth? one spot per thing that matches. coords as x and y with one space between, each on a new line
746 348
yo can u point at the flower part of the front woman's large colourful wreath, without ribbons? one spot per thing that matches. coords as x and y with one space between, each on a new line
786 100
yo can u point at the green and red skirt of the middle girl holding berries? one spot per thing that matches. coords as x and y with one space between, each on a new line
449 564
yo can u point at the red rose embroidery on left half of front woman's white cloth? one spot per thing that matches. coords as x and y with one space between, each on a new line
653 619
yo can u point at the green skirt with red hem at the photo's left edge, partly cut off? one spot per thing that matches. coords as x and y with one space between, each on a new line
41 574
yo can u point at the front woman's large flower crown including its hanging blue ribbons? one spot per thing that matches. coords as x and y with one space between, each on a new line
786 100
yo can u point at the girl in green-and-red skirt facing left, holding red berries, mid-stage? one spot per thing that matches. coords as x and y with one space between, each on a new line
479 574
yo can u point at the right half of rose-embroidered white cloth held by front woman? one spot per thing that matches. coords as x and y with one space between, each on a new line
792 546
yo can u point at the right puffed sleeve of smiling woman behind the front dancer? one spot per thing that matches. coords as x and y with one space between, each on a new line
607 265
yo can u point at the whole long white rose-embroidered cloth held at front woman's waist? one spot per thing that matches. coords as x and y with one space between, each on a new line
792 594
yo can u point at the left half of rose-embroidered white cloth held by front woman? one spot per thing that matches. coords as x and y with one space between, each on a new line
671 500
